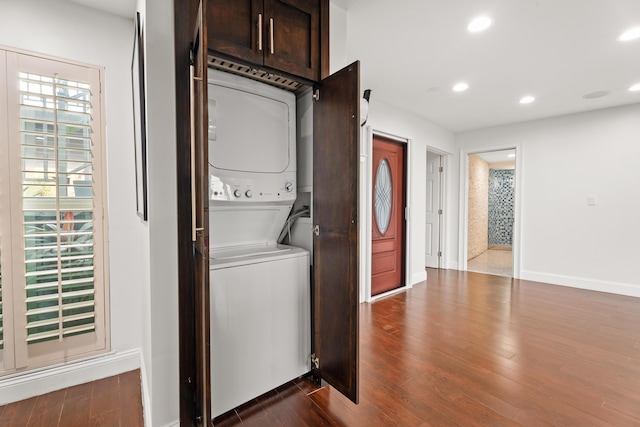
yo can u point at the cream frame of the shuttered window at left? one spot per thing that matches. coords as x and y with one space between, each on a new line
29 356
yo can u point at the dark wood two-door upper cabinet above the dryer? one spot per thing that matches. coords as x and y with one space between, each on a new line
283 36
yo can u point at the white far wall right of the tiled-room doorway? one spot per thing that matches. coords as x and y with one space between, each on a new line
565 159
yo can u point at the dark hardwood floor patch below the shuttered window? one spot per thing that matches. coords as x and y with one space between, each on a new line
114 401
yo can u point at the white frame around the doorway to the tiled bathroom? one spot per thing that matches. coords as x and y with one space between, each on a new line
463 233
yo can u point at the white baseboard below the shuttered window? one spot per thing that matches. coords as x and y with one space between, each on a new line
34 383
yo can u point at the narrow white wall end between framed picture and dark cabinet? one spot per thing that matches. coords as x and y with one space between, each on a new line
160 324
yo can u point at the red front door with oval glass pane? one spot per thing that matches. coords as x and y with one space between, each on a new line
387 246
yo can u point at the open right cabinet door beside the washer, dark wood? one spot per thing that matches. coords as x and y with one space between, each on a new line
336 146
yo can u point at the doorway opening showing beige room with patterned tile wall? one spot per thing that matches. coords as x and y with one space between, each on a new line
489 229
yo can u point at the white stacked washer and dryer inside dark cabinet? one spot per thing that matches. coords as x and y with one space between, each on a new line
260 293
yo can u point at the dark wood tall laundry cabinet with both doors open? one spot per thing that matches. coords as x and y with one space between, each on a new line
229 33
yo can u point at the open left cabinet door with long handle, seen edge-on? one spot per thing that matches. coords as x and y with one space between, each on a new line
200 214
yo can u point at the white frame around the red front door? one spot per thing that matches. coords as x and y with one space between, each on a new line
366 213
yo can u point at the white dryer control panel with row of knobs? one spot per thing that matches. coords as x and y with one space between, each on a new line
258 189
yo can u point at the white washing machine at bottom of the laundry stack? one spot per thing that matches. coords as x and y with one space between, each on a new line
260 322
